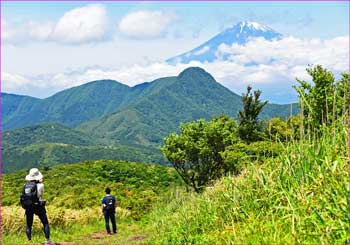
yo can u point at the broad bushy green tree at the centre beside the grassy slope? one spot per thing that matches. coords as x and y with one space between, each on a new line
196 153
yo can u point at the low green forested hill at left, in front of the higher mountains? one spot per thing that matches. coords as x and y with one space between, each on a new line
49 144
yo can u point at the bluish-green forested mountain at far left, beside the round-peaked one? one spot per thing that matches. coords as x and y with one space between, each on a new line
69 107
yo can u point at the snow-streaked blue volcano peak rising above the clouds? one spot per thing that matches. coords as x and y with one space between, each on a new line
239 34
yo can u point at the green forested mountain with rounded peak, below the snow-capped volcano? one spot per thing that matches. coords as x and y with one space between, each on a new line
167 102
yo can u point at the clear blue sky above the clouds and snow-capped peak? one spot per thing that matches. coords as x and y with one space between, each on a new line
304 19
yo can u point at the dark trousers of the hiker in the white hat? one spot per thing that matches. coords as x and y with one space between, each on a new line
41 213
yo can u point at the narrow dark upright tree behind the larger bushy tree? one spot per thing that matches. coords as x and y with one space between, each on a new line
250 129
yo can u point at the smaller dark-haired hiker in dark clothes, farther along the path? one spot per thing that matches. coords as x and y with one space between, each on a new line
108 209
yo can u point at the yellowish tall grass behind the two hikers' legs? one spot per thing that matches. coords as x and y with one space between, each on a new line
65 223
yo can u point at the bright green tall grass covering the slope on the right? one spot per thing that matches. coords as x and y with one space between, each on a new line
298 197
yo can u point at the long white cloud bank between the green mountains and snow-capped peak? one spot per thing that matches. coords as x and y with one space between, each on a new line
279 63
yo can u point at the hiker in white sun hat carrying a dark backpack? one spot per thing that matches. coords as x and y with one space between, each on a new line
32 201
